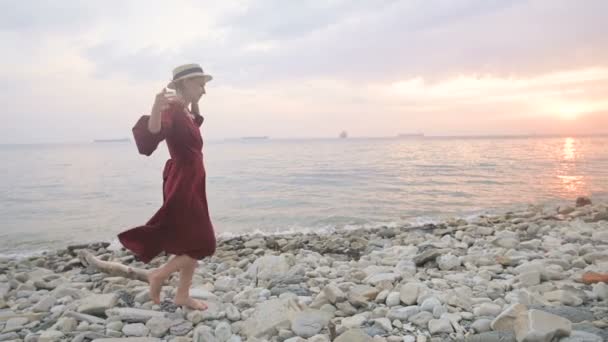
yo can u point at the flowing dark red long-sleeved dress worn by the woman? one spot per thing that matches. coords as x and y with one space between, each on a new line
182 225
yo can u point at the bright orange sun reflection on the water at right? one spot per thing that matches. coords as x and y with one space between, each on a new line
571 183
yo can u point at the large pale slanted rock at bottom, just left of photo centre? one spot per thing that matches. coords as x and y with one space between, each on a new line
269 315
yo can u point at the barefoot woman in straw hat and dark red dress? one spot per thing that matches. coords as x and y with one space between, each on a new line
182 225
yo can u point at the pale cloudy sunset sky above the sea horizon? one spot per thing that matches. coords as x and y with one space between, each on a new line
75 70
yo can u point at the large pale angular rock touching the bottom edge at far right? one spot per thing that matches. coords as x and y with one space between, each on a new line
539 326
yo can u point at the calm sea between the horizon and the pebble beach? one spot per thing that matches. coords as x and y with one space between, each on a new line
55 195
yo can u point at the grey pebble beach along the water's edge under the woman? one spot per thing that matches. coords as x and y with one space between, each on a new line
459 279
